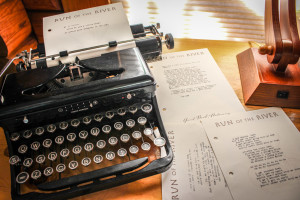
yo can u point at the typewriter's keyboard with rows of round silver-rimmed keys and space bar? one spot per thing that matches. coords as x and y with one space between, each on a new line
96 145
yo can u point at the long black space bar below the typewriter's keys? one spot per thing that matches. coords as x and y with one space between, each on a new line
89 176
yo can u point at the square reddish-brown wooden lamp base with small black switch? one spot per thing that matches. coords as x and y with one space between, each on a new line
263 86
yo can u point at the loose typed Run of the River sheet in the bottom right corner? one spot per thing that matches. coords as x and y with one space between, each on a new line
259 154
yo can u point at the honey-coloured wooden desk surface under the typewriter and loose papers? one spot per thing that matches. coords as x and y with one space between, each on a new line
224 52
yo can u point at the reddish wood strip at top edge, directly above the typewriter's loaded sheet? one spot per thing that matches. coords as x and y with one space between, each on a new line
72 5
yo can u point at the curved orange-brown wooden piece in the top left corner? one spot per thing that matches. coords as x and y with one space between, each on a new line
14 23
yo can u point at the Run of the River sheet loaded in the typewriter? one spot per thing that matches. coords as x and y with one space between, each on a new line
87 28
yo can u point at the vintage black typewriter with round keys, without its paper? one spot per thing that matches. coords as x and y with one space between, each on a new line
86 126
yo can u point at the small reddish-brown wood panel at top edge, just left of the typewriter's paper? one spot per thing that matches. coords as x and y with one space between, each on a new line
42 5
